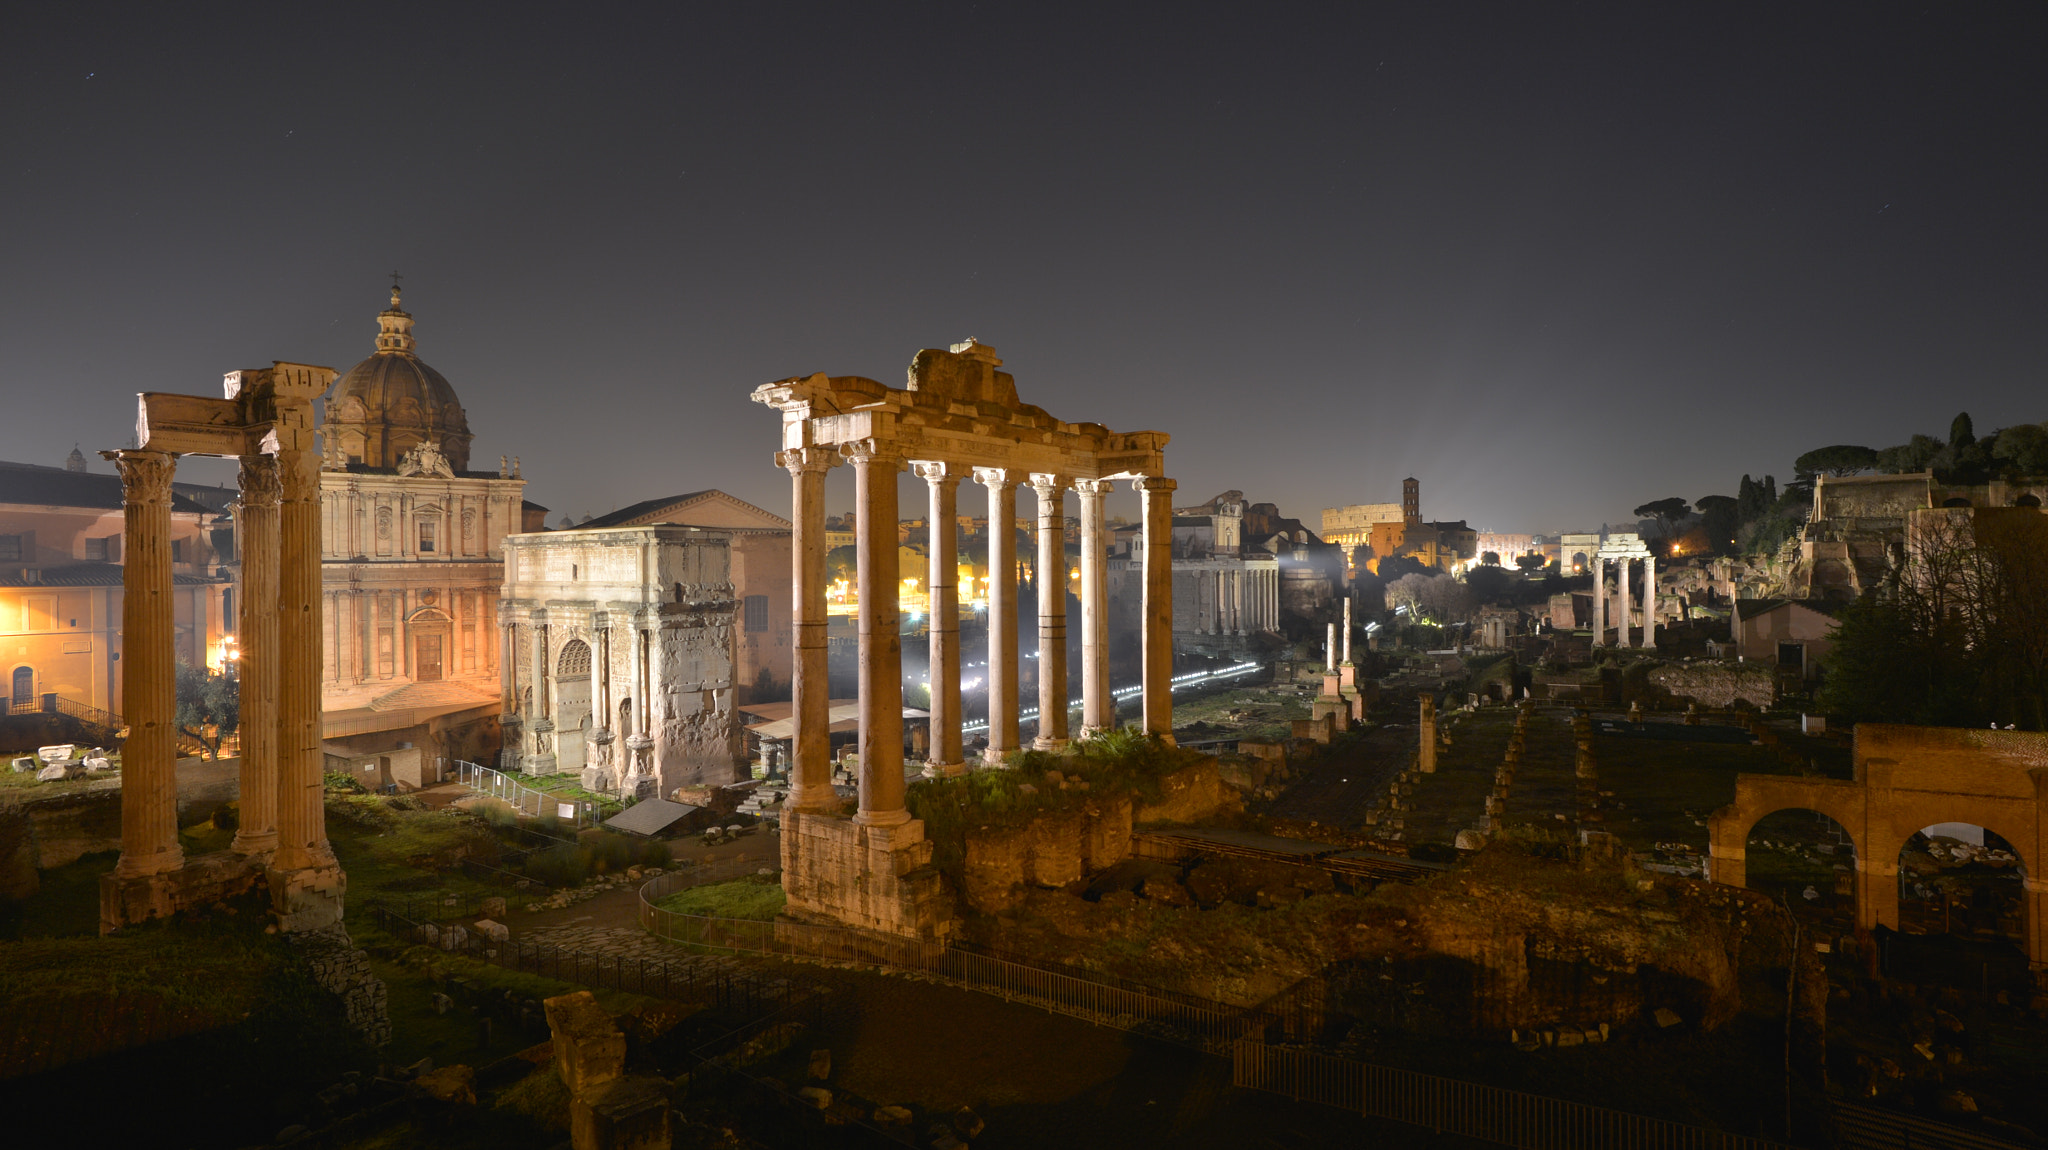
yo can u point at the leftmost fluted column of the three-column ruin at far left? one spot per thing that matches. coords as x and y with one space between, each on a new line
148 668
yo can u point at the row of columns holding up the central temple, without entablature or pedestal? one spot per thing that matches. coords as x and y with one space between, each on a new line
882 656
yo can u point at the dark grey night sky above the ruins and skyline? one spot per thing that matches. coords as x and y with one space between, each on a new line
1551 259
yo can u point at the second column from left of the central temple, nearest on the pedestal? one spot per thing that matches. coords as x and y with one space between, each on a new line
882 642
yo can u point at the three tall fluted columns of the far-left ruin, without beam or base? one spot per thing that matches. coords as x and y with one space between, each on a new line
282 813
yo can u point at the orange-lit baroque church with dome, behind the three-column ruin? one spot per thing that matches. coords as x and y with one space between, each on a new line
413 560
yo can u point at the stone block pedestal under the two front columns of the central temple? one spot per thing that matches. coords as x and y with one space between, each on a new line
865 877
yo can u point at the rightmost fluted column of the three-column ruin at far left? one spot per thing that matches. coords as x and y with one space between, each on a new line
302 822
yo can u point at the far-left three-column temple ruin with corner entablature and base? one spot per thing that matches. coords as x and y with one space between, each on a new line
267 423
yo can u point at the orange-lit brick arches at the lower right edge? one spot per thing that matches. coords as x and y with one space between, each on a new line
1910 779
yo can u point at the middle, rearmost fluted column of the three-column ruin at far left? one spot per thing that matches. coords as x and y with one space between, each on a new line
257 637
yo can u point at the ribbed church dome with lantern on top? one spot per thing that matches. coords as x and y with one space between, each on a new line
392 402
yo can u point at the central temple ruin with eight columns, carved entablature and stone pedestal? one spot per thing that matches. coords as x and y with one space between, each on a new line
957 416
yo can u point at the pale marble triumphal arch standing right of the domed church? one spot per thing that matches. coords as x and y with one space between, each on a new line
624 668
